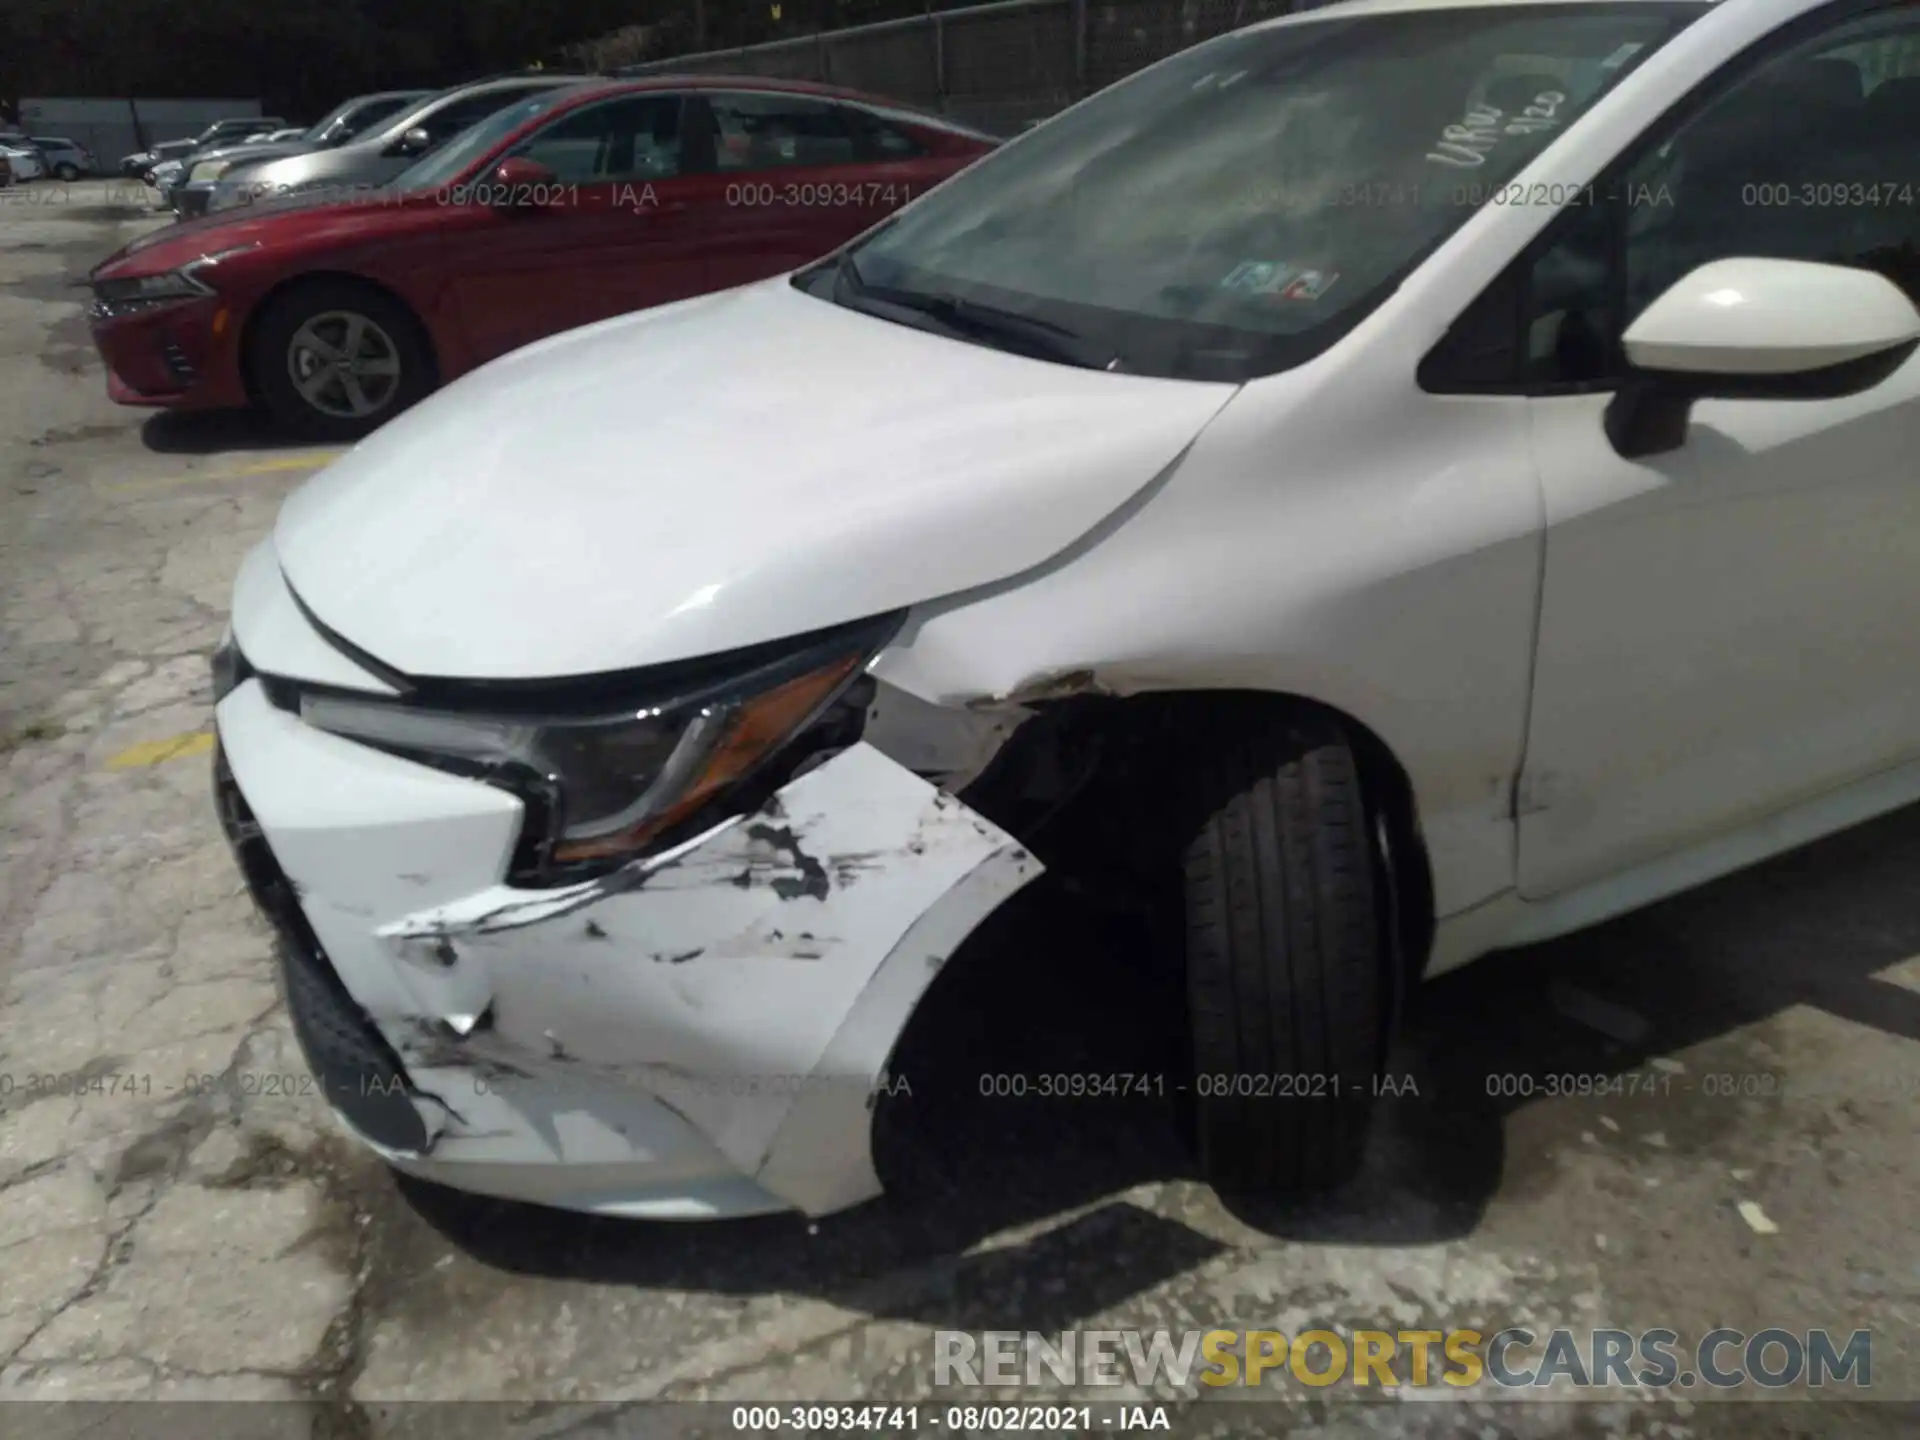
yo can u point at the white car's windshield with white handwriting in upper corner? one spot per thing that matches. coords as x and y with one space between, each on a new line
1241 206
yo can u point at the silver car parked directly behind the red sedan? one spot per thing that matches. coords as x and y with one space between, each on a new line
383 153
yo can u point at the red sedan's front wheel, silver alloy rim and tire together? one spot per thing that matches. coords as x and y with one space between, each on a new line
333 360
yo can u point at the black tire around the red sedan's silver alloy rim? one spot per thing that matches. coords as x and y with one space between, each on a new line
272 360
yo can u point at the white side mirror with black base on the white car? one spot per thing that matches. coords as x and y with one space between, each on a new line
1756 329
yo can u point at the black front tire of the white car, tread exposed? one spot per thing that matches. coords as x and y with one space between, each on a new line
1287 955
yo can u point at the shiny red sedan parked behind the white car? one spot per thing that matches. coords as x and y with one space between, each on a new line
579 204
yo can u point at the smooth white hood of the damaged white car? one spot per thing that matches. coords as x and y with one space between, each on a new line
711 475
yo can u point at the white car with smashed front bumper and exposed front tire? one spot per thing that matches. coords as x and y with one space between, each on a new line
1431 475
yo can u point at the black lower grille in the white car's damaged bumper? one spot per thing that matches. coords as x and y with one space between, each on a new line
352 1061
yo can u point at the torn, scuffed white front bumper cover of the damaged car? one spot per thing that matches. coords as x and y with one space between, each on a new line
698 1034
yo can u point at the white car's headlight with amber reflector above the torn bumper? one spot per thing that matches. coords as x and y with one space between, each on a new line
608 780
